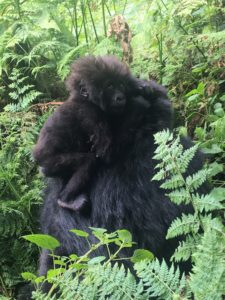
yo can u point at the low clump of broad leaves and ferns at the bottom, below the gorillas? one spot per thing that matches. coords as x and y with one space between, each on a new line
98 278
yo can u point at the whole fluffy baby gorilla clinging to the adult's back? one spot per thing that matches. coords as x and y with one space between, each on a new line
78 135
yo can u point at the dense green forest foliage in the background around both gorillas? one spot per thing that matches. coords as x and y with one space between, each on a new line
178 43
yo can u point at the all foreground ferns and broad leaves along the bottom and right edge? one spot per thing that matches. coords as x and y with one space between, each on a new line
204 243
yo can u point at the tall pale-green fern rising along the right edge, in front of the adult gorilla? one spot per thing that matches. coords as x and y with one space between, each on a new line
204 231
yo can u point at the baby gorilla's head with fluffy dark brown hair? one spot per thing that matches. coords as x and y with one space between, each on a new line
101 80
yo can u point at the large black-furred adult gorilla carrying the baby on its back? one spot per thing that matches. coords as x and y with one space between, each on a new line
122 193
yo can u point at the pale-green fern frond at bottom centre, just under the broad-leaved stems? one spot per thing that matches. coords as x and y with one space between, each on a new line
111 282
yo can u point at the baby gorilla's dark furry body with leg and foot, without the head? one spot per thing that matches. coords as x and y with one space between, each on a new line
60 148
